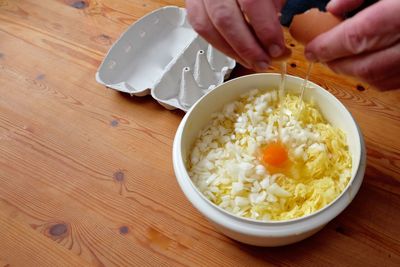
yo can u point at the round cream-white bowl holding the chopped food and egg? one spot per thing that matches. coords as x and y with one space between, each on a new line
251 231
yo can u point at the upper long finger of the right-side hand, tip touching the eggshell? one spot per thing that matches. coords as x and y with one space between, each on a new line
374 28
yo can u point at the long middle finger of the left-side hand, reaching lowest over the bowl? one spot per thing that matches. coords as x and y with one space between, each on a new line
229 21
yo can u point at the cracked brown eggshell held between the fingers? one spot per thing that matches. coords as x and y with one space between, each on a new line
312 23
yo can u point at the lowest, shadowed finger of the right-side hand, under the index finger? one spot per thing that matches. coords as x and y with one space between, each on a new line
376 68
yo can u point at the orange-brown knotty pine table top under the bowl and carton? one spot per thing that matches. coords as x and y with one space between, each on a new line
86 174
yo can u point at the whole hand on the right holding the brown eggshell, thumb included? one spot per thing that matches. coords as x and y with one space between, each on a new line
366 46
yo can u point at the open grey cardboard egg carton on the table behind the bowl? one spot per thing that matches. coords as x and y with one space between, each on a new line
162 55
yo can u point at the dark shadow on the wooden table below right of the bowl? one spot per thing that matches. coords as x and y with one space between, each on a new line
369 222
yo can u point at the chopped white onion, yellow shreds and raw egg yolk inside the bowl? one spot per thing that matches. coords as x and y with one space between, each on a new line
262 159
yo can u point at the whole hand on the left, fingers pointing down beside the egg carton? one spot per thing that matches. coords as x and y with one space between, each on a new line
246 30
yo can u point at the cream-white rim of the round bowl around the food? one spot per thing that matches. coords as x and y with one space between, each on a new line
182 173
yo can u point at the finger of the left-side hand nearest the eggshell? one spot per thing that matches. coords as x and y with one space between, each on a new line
263 18
